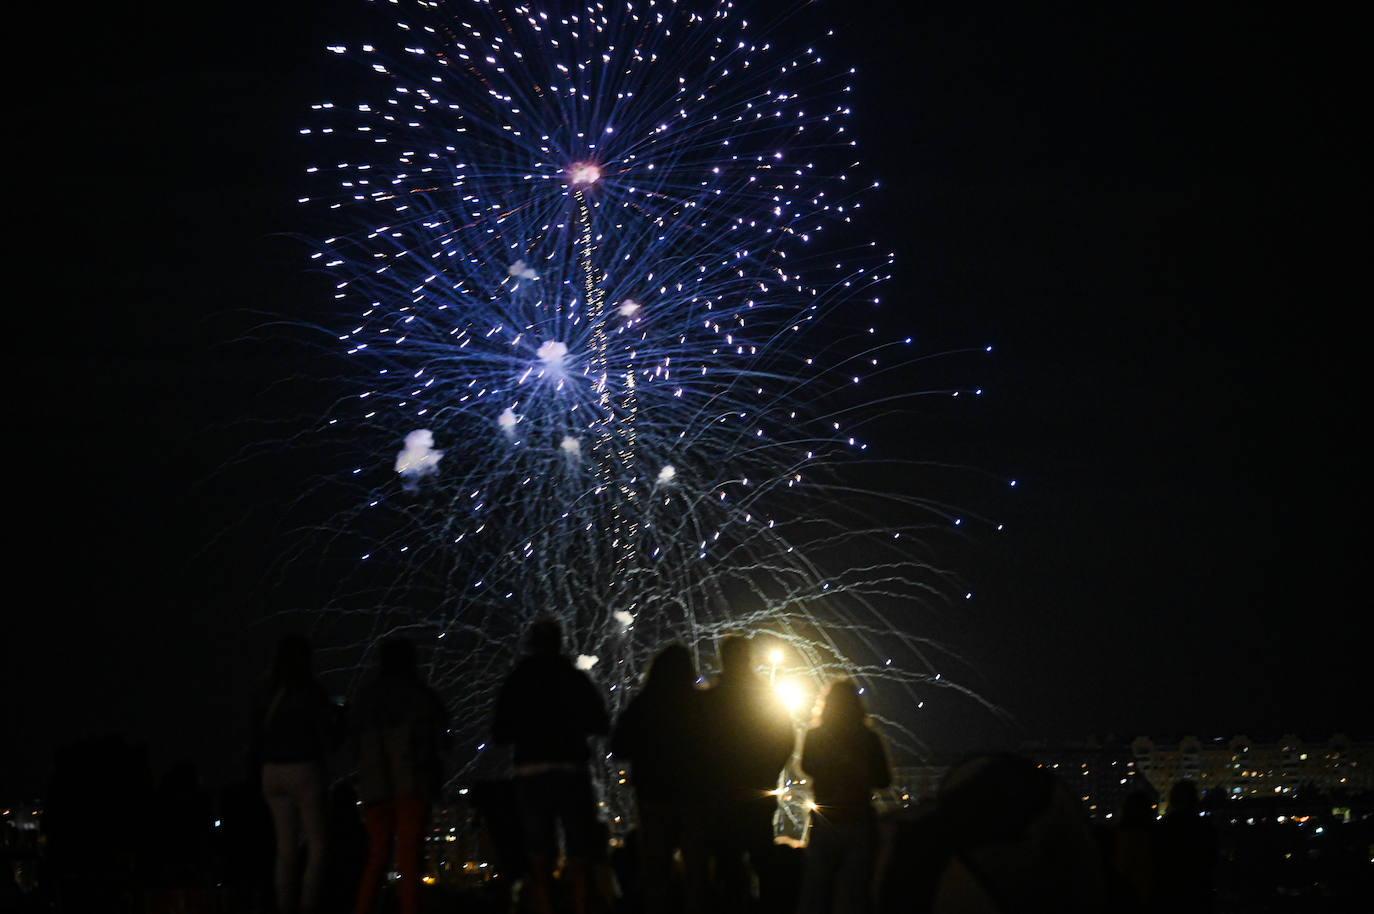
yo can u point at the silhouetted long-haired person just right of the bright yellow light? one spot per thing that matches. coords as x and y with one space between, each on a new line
846 763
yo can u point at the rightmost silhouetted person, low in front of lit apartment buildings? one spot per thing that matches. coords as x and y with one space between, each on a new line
1185 856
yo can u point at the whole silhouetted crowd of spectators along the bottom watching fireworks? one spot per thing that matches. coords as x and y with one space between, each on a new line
706 762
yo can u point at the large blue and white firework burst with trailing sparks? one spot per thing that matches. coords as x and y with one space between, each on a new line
612 336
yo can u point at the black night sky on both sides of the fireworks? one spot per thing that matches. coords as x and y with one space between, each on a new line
1145 212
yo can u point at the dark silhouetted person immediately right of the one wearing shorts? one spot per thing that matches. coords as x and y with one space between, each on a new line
660 735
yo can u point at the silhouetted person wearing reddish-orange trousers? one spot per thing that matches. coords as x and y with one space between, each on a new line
401 725
